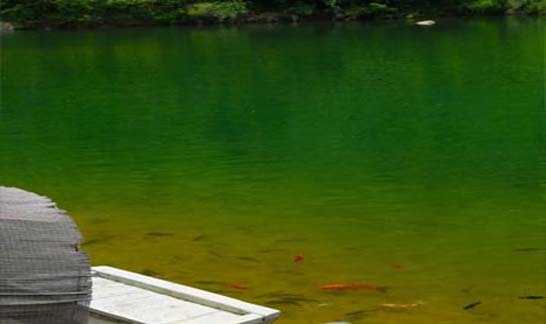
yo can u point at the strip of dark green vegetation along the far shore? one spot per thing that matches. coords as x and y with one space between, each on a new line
93 13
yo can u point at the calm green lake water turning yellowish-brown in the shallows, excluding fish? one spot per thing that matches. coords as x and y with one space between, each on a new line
383 153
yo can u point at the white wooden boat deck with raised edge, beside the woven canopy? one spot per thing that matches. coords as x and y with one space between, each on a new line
125 297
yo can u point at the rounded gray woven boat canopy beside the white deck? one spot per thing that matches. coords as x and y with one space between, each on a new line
44 278
